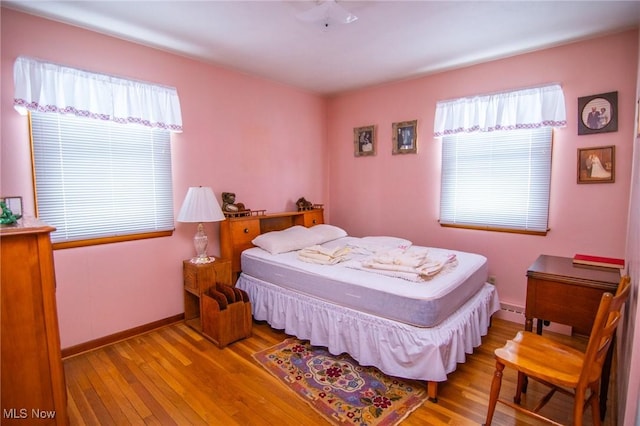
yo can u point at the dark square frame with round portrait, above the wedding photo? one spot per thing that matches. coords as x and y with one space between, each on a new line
598 113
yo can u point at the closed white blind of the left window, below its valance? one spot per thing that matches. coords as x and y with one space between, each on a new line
98 179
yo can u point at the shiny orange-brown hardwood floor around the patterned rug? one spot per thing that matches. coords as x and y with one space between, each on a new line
173 376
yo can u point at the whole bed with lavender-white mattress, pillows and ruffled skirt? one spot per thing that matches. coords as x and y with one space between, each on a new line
415 325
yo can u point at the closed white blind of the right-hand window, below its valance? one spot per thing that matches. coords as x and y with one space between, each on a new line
497 180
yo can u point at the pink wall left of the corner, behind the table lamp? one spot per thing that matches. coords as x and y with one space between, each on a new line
262 140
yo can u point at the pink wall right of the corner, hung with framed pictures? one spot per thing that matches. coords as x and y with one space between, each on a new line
399 195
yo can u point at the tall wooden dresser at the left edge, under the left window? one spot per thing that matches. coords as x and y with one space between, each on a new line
33 384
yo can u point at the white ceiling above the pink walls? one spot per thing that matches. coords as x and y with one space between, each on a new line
391 40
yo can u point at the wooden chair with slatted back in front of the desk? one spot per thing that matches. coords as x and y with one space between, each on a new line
563 368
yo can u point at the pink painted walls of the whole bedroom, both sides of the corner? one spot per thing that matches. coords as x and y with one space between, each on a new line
268 143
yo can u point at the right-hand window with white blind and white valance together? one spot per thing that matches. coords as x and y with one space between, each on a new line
496 158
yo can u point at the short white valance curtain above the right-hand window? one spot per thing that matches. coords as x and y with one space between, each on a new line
521 109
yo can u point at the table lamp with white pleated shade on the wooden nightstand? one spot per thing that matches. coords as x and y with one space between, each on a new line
200 205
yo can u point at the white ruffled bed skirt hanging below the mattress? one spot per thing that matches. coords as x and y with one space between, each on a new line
395 348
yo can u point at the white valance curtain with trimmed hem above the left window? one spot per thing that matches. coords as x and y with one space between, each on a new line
47 87
